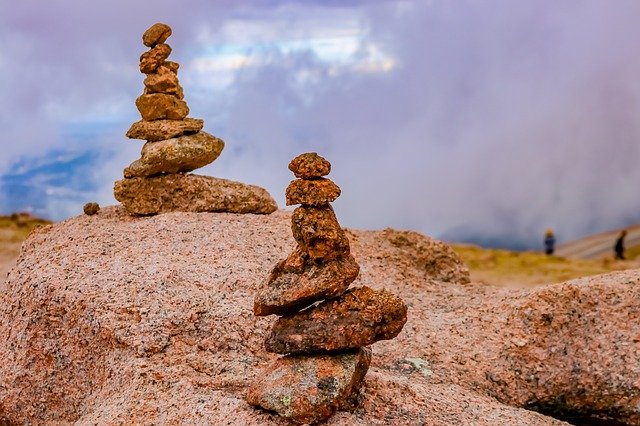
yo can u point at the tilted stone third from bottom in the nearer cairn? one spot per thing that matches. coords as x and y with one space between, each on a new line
298 281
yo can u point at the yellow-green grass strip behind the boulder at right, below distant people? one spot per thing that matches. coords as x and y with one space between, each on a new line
503 267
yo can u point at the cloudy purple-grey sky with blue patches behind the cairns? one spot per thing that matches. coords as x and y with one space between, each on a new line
482 120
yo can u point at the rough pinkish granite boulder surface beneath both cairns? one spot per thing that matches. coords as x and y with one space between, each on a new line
109 319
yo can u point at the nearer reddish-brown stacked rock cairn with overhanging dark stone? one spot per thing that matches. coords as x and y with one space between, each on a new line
324 327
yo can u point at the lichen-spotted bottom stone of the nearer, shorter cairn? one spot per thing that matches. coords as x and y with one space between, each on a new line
309 389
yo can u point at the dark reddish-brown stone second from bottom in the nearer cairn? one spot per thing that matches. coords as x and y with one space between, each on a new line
360 317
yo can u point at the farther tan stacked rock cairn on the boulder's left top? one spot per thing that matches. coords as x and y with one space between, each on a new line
157 182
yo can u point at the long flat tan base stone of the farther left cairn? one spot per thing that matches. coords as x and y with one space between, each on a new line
191 193
